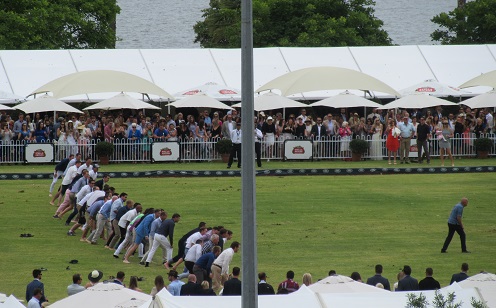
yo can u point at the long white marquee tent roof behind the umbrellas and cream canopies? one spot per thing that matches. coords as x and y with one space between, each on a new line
22 71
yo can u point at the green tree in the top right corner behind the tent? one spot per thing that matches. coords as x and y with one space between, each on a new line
472 23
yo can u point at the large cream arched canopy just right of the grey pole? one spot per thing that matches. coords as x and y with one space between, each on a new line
326 78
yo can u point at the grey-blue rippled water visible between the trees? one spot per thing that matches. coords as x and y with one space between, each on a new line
169 23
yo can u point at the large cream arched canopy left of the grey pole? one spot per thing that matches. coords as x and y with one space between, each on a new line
100 81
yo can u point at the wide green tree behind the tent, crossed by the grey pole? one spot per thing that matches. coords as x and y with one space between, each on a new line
291 23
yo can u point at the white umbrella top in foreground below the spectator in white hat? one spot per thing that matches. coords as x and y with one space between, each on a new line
101 295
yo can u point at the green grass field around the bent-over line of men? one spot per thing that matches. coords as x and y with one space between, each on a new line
305 223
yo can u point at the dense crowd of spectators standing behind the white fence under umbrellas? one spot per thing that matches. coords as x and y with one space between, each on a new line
74 133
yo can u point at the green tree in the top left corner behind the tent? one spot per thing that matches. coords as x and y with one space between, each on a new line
54 24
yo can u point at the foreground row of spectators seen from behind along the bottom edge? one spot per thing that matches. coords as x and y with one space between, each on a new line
35 292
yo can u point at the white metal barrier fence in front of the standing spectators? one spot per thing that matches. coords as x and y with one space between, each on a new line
147 150
